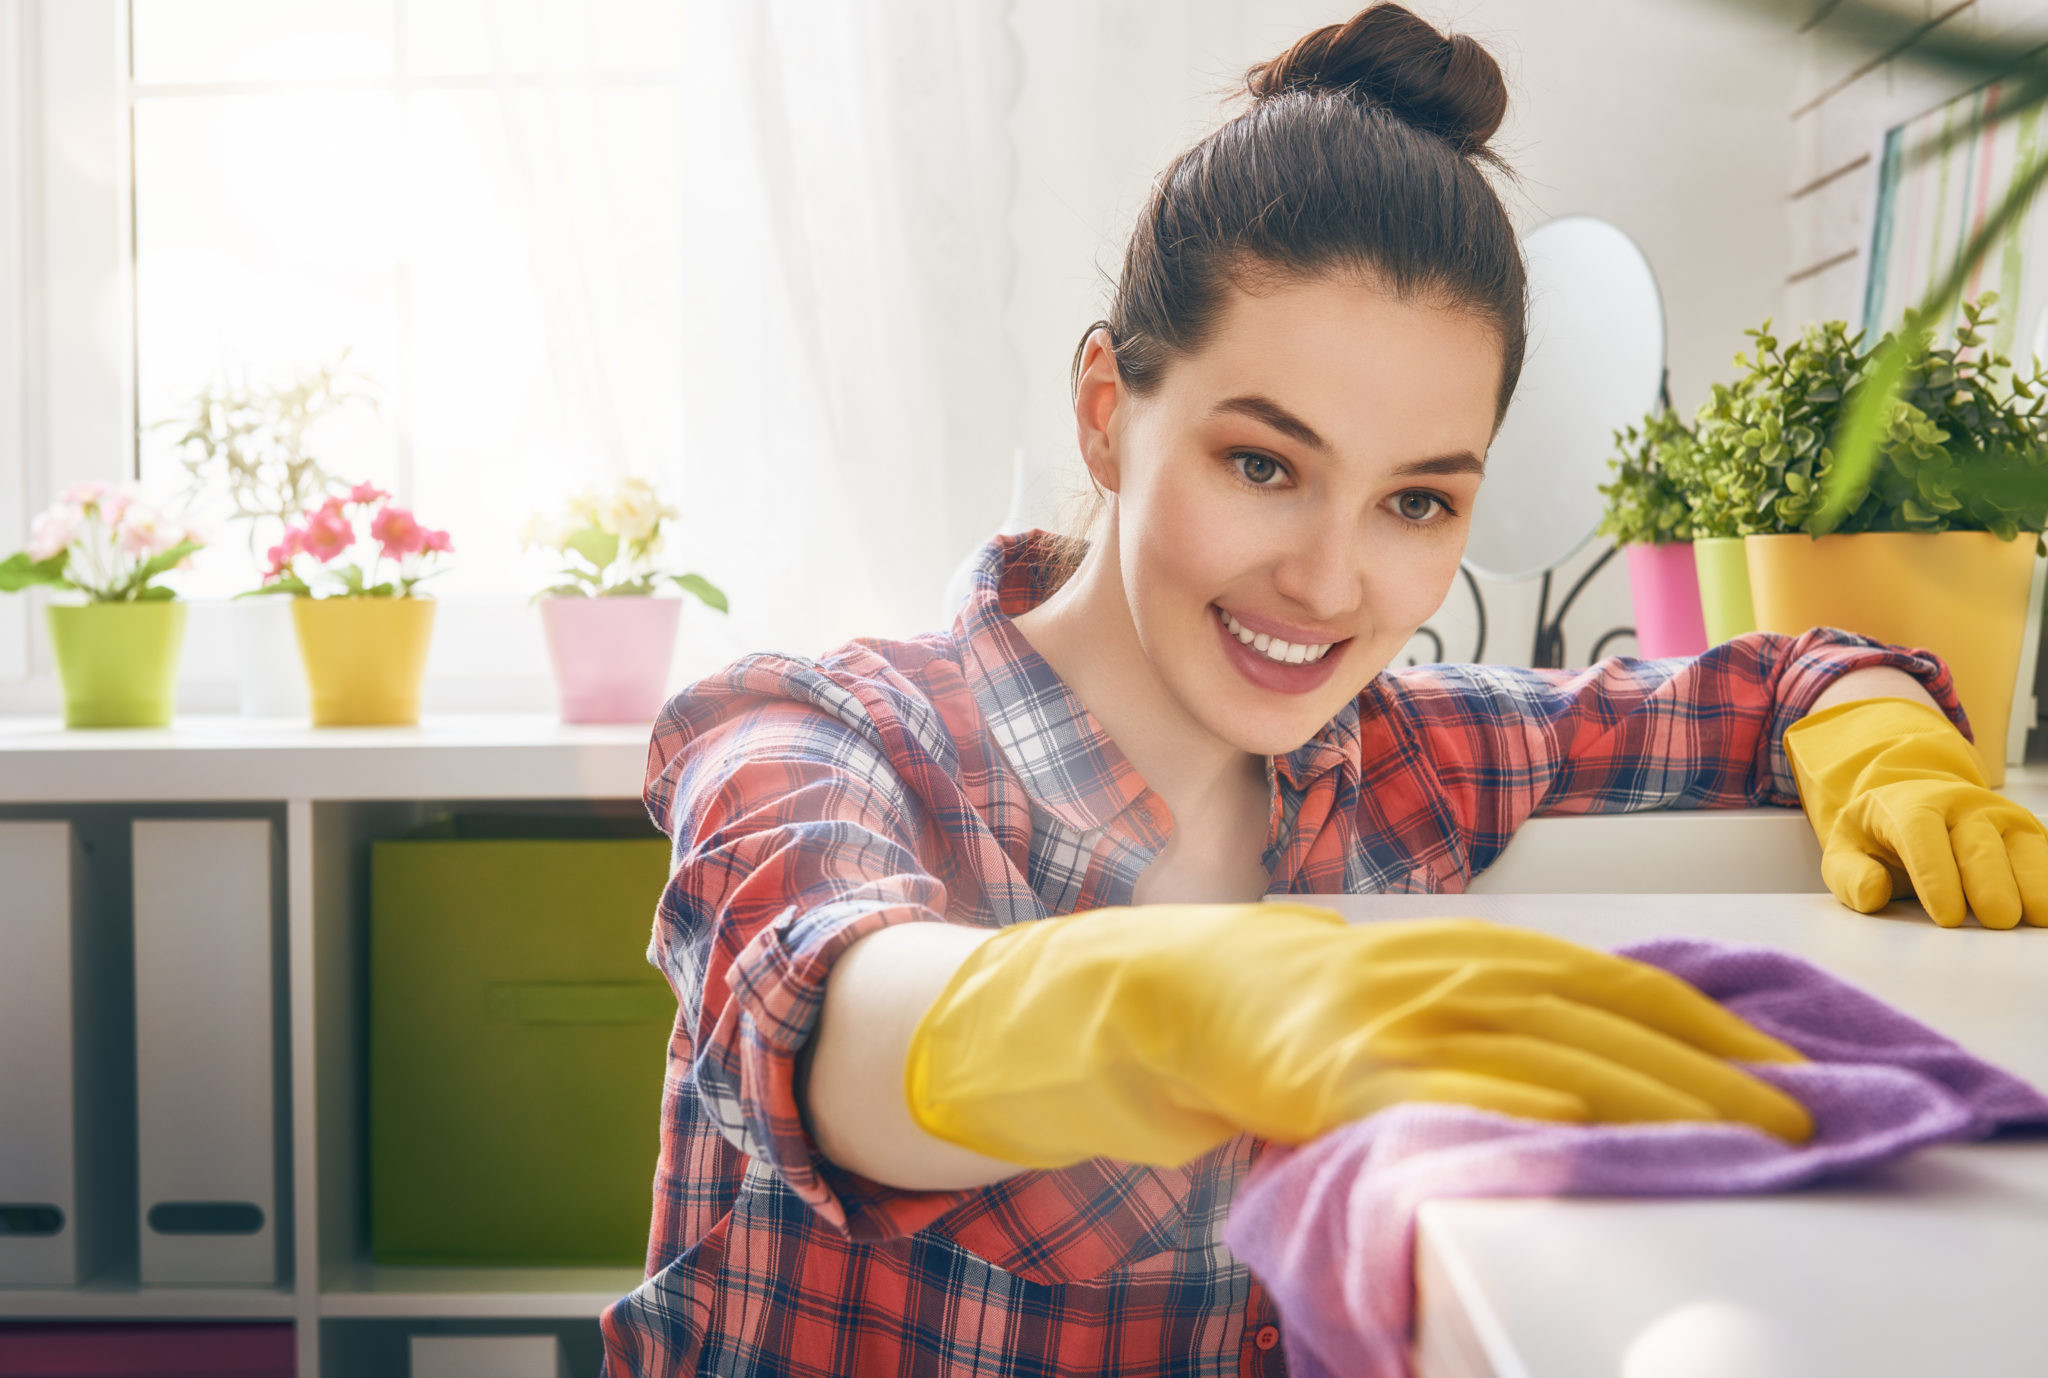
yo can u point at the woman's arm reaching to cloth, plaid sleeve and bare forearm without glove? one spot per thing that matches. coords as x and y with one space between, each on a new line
798 841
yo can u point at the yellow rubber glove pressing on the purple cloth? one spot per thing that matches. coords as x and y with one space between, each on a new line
1152 1035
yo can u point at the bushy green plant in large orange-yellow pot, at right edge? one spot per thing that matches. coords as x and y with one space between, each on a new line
1934 546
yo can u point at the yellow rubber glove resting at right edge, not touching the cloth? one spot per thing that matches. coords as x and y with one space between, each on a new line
1895 795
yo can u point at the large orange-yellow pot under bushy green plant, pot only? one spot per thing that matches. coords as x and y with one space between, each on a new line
1961 595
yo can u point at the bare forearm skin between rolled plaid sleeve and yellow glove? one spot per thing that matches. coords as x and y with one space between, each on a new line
855 1088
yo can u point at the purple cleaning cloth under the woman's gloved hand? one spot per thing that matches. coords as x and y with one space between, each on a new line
1330 1228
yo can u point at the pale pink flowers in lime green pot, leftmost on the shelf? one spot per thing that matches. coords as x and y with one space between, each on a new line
118 652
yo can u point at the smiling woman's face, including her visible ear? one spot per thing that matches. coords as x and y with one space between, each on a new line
1291 503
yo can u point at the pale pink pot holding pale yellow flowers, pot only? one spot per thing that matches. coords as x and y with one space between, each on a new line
611 656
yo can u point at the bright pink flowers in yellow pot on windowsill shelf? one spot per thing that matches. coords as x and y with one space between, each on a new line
364 632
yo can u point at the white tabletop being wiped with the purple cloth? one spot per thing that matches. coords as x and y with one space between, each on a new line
1930 1266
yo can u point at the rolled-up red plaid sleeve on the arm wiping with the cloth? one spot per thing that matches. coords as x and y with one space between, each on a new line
794 838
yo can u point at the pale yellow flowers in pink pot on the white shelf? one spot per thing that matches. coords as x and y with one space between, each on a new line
607 634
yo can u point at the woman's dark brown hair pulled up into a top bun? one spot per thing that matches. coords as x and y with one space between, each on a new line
1365 150
